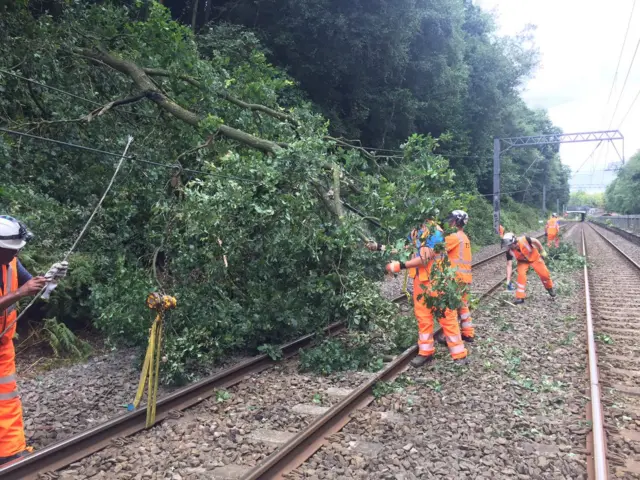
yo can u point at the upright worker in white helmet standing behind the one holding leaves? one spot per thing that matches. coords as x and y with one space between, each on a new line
459 252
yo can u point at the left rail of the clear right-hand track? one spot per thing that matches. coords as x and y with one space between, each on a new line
599 450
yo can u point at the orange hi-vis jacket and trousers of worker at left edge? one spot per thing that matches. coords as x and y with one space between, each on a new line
12 439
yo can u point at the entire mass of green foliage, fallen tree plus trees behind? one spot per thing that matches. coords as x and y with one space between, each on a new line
255 180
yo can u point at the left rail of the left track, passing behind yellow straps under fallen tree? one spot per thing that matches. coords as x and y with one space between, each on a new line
61 454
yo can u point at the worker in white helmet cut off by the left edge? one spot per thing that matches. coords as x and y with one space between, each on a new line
17 283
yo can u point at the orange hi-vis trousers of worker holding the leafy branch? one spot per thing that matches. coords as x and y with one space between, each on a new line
450 326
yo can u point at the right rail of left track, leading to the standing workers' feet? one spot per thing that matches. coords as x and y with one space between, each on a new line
308 441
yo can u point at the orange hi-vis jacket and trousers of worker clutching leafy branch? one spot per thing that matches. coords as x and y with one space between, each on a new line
424 314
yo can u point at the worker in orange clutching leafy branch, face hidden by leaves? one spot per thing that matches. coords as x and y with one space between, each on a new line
425 240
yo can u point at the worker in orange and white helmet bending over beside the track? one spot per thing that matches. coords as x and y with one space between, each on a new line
528 252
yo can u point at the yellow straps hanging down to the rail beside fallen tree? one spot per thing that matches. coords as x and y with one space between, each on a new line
151 367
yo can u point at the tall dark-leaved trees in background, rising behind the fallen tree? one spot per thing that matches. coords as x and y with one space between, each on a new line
381 70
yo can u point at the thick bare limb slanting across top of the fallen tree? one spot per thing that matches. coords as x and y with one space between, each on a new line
144 83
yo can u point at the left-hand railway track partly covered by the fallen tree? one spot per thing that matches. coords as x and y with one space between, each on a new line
285 453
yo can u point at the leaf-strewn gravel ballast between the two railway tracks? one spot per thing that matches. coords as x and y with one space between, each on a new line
516 411
